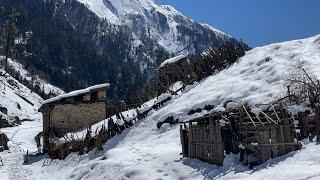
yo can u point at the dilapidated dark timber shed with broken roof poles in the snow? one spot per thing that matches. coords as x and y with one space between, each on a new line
256 137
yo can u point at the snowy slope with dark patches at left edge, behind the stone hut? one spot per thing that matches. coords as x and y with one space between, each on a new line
20 100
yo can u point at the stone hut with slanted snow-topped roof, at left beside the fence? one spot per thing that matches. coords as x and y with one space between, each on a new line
75 110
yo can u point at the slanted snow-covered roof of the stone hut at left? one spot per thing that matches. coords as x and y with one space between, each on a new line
76 93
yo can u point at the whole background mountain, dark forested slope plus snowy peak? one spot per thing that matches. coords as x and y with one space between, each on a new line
96 41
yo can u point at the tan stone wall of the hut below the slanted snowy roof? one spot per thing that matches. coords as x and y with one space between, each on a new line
70 117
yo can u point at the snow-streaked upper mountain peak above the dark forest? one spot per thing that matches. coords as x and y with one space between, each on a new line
155 32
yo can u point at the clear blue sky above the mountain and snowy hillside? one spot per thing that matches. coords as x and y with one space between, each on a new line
258 22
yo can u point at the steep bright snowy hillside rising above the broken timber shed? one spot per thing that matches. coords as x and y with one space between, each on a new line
258 77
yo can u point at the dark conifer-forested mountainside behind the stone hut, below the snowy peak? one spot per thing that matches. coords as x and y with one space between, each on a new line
48 45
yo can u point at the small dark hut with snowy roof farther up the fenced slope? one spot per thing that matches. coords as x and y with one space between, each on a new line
178 68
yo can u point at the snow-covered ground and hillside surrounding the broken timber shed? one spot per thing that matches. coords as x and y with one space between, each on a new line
145 152
